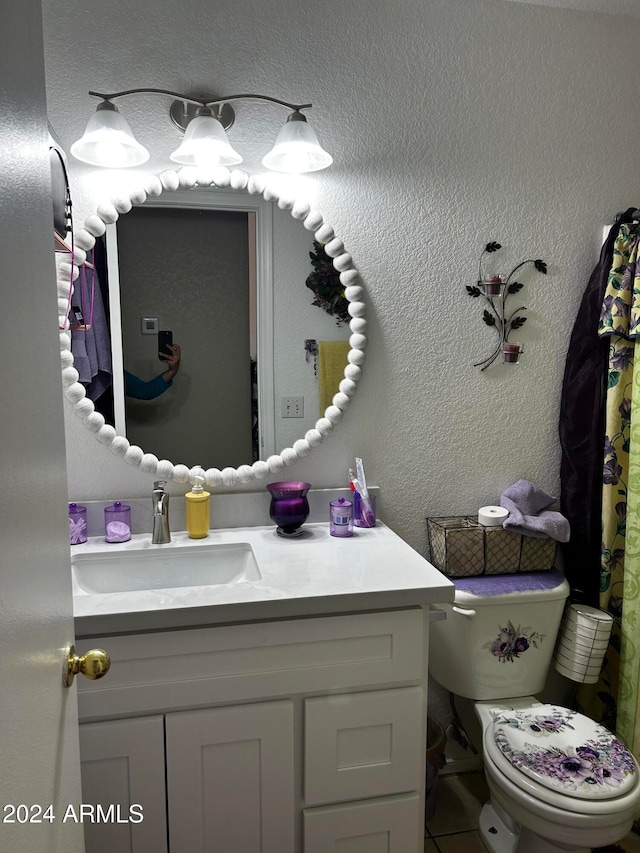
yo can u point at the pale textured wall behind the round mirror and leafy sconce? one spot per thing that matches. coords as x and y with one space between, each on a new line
452 122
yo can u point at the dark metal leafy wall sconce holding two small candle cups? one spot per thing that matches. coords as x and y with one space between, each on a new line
495 289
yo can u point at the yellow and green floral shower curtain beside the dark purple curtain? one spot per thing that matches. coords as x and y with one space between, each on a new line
614 699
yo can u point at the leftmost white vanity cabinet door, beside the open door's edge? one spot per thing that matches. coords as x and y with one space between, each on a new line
122 763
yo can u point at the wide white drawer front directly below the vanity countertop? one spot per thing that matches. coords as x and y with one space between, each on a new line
181 669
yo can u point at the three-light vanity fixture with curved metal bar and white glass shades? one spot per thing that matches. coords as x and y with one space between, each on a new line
108 140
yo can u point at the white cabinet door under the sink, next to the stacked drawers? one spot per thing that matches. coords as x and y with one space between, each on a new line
230 779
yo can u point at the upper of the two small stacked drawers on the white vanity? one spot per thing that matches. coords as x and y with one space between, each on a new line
362 745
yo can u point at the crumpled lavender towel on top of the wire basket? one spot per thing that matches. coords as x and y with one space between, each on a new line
528 513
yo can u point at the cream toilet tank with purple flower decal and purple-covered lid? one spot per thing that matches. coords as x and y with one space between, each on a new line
498 637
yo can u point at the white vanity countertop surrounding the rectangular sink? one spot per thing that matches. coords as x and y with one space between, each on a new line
310 575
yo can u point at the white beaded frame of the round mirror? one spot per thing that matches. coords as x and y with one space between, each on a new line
188 178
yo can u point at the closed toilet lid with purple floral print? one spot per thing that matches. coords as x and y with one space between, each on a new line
565 751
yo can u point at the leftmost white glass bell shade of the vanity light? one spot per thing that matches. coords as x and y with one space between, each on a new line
108 141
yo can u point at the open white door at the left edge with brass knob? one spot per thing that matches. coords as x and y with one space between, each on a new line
38 717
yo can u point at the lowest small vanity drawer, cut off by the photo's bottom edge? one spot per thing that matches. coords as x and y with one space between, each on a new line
389 825
